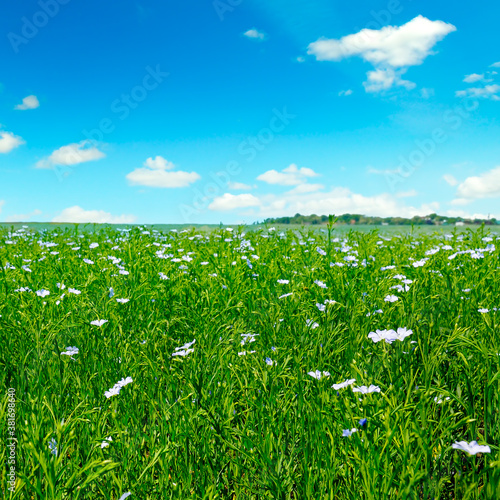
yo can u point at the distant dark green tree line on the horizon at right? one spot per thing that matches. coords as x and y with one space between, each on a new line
431 219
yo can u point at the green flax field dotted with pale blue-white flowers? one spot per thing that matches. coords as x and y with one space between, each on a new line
240 364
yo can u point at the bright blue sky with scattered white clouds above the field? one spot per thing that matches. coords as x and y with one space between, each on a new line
238 110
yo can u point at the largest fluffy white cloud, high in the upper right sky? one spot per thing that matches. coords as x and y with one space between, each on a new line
391 49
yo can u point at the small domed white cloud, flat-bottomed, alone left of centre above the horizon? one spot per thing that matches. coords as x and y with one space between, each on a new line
158 172
